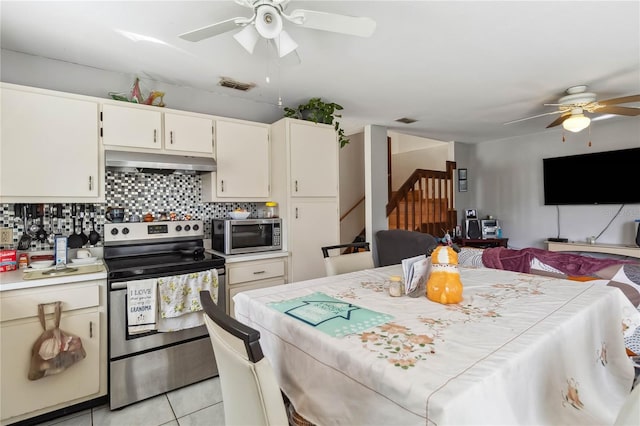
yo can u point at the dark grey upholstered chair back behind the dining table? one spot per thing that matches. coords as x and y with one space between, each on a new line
393 245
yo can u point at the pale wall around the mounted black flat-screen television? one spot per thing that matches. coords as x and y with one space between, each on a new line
505 180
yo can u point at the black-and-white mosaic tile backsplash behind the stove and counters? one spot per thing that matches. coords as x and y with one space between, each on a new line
137 193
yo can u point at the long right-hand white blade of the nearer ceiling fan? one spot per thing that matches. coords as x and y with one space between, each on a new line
351 25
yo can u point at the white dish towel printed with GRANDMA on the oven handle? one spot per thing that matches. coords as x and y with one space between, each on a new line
141 306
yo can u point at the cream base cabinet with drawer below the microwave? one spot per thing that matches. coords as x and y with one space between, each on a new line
252 274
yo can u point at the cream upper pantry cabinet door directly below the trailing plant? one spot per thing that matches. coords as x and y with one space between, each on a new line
314 160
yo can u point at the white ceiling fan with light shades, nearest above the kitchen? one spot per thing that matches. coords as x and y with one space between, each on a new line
267 22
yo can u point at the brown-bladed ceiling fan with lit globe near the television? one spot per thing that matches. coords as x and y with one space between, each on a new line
577 101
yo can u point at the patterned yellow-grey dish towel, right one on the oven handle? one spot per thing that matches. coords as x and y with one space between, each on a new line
179 301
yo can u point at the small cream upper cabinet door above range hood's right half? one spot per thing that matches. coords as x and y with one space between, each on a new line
188 133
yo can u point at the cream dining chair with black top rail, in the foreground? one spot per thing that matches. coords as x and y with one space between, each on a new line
250 390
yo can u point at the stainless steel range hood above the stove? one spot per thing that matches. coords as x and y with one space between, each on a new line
158 163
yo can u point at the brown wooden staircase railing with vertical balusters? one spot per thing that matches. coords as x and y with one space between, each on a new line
424 202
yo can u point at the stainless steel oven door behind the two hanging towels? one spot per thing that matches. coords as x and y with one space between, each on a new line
124 344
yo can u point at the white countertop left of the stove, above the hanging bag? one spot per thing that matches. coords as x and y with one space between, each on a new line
15 280
